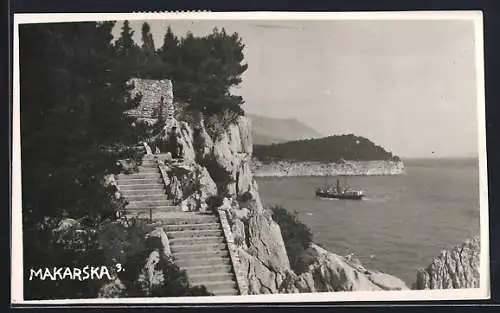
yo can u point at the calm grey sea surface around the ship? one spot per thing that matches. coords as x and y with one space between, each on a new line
404 221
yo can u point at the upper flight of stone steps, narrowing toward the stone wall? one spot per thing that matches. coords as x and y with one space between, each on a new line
145 190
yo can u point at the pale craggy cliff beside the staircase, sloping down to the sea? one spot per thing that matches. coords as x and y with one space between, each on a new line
221 167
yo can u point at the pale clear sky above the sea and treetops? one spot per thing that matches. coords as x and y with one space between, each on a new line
407 85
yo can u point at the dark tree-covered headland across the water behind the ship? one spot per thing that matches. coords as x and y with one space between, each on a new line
327 149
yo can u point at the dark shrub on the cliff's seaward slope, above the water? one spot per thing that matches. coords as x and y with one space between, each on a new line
296 236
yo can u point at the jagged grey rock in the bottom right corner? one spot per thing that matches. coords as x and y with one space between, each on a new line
455 268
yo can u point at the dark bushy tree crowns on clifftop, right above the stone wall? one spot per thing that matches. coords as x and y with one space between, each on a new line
204 69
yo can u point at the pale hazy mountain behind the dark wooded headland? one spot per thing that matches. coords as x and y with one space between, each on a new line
267 130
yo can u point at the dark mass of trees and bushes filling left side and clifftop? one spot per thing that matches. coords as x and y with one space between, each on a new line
74 90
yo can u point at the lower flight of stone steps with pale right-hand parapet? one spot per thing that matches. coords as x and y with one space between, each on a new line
198 246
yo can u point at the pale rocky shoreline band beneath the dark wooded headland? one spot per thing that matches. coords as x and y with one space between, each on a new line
347 168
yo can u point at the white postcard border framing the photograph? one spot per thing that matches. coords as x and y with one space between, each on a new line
459 294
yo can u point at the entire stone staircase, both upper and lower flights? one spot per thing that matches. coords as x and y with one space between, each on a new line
196 240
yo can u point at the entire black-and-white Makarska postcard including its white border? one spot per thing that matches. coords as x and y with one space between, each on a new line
249 157
